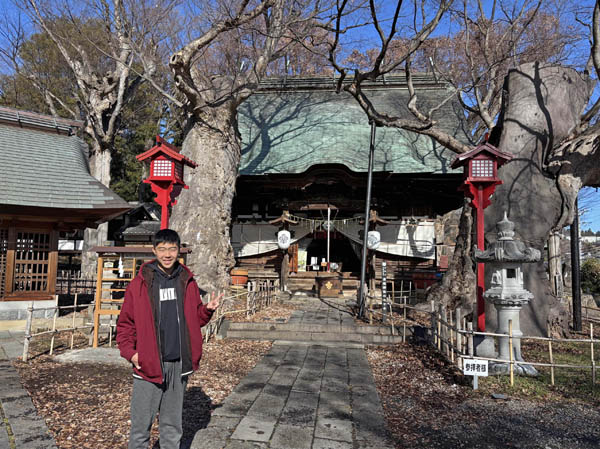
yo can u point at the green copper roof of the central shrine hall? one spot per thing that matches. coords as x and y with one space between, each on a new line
288 131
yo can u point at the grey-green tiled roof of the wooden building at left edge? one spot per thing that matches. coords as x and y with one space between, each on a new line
47 169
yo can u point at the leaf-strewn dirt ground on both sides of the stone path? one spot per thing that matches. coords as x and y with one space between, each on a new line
427 402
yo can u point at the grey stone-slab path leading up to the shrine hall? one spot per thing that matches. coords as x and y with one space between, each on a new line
303 396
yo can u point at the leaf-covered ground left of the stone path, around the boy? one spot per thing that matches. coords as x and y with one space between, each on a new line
87 405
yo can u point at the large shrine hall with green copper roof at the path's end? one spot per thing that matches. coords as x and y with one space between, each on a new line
306 151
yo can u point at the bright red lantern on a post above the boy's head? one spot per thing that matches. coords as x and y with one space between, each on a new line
165 175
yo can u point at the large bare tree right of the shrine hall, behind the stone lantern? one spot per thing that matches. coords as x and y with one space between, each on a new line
507 78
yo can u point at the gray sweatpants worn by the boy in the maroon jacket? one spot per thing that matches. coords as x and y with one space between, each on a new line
148 398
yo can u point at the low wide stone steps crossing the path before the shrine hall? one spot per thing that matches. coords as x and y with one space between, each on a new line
320 322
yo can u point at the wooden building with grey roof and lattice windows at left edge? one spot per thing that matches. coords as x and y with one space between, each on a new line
46 188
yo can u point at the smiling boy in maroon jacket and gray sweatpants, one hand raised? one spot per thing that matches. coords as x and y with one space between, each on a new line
159 333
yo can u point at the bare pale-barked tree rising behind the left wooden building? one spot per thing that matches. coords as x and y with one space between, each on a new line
109 47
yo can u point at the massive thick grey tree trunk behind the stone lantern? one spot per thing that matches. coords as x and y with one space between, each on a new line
542 107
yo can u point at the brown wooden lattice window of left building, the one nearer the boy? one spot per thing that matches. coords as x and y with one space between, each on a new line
32 261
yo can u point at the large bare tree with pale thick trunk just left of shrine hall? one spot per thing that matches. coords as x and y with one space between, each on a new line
237 44
